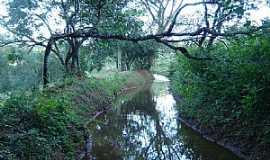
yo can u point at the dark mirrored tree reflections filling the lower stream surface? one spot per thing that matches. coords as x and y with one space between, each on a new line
140 132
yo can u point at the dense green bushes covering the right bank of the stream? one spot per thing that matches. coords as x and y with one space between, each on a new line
228 97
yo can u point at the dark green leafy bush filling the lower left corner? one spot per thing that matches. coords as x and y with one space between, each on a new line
36 127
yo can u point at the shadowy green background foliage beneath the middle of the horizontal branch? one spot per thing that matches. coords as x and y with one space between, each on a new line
134 56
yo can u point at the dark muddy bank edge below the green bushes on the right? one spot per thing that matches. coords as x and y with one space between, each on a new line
242 147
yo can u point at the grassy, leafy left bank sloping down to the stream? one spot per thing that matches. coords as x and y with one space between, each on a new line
50 124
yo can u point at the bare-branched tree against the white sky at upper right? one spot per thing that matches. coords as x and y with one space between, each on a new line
211 18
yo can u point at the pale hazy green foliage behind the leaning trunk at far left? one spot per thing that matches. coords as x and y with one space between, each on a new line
21 71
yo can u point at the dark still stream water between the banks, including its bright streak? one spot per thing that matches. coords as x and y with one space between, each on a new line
145 126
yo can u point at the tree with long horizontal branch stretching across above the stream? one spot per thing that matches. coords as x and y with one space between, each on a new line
91 20
